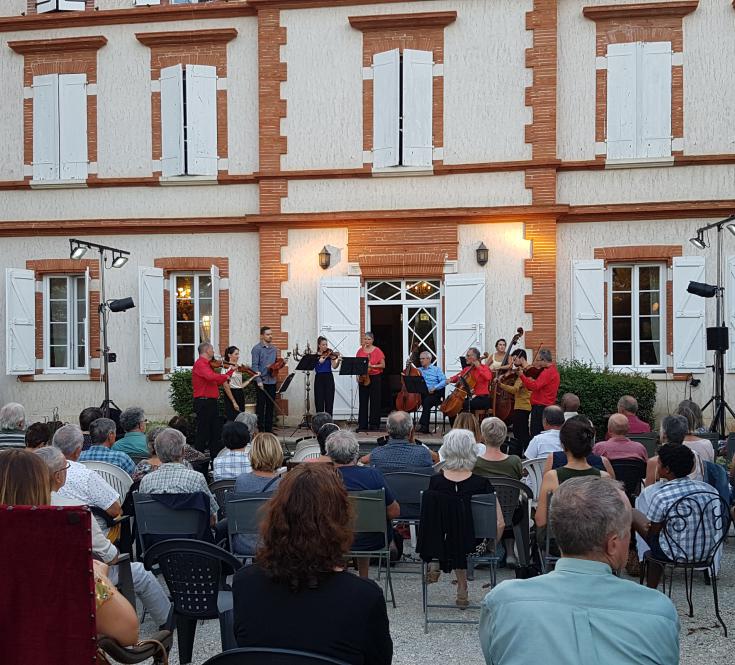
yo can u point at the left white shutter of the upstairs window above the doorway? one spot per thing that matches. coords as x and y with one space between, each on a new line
386 108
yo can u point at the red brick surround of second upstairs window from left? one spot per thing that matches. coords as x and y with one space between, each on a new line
190 47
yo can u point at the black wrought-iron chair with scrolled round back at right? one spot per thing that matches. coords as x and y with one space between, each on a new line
705 519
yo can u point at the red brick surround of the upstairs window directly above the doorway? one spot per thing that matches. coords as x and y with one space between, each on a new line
419 31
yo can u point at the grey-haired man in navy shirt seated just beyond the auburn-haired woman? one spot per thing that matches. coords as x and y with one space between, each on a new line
344 449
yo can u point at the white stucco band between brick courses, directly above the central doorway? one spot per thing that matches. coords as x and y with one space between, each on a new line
389 193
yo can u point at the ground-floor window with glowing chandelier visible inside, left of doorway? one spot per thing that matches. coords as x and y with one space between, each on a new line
193 316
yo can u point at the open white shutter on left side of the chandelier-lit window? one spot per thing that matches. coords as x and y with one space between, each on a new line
152 333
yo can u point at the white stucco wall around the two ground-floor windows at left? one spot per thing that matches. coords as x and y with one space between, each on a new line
127 386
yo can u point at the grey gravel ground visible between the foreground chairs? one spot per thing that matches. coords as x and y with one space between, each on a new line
702 641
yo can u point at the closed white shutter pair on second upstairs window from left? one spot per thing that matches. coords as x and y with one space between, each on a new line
189 120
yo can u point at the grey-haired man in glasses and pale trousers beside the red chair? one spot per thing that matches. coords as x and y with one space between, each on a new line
149 591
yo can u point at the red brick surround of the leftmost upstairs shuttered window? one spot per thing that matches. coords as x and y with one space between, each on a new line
72 55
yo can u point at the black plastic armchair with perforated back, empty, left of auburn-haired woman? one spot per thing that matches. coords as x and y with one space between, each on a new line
195 574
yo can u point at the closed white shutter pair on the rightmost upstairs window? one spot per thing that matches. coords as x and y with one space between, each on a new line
639 100
